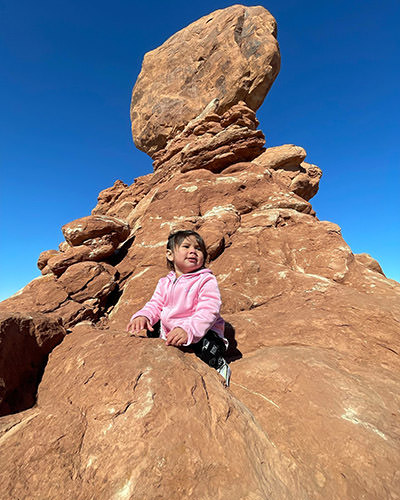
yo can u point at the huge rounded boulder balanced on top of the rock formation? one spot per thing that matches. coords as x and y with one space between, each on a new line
231 55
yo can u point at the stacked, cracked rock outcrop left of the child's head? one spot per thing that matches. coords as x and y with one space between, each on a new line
79 279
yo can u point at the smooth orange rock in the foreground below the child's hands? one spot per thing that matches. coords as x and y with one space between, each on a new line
129 418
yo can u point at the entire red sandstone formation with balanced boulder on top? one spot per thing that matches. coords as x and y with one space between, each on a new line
312 410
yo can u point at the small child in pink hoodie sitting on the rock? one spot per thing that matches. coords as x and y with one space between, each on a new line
184 309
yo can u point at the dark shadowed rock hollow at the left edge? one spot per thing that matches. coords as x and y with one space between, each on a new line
25 342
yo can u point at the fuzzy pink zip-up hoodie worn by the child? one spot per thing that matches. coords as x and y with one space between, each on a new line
191 302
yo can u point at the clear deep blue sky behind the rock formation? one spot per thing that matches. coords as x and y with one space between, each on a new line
67 71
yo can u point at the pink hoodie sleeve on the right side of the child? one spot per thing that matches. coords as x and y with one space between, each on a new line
206 313
